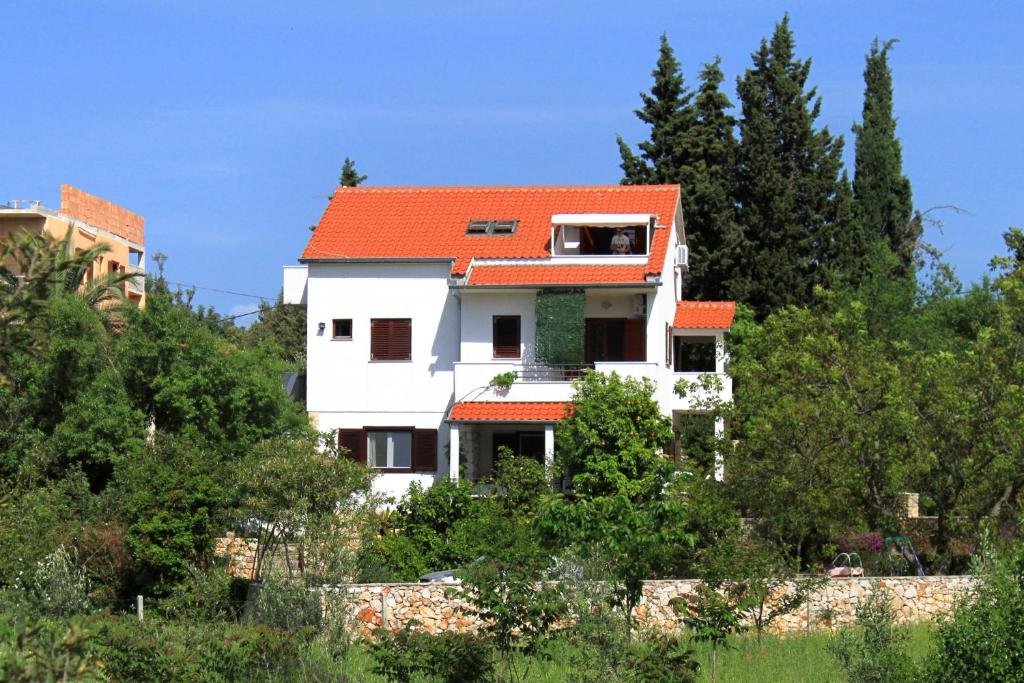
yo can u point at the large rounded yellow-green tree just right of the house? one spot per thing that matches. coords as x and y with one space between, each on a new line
818 439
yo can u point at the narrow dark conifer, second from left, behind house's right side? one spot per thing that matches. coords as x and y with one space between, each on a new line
709 191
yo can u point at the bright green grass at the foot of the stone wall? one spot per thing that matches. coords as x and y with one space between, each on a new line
793 660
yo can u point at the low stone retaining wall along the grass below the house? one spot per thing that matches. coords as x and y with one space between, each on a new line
438 608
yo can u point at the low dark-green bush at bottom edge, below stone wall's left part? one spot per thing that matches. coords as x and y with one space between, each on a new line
450 658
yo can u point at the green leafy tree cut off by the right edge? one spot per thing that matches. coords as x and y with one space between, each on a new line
969 401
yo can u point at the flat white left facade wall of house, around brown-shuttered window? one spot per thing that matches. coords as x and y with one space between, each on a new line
347 390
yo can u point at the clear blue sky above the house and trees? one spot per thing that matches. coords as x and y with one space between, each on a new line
226 123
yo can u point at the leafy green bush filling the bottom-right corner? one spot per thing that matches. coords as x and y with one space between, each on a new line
983 642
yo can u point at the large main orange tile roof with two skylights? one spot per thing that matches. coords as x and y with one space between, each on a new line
431 223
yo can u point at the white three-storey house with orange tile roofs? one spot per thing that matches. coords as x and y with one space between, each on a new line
418 297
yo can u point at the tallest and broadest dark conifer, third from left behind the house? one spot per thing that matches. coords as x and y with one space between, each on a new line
788 182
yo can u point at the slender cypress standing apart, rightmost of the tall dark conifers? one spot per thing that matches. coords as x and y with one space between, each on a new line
881 190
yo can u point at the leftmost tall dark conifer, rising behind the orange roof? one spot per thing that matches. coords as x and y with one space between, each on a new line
667 110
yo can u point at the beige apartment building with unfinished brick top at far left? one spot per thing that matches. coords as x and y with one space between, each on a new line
95 221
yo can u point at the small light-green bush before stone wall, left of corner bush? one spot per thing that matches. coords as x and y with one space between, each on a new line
875 652
